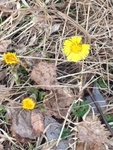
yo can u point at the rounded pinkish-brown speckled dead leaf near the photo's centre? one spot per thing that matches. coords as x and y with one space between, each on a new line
44 74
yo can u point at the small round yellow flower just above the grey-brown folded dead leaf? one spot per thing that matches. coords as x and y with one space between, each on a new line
28 103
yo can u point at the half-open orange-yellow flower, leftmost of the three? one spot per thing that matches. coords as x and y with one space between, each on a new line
11 58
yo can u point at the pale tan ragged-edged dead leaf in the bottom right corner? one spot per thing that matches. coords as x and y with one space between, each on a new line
92 131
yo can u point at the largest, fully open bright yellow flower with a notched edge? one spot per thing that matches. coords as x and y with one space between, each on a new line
74 49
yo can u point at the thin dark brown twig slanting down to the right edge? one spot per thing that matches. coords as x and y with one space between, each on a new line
100 111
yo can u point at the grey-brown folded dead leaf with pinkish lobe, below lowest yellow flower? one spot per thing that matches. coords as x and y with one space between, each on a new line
25 124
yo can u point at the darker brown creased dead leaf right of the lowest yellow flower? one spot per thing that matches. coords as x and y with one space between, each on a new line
57 103
